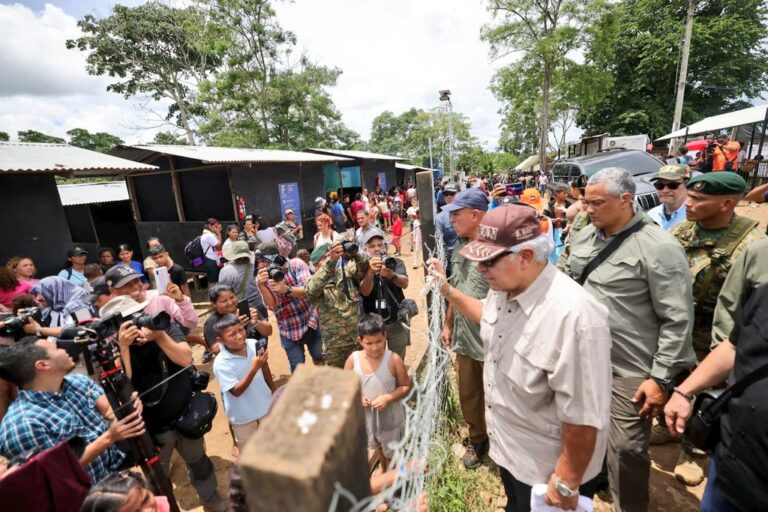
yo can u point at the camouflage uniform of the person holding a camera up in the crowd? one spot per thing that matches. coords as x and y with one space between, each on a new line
337 299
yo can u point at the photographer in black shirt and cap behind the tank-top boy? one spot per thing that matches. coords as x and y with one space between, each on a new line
382 290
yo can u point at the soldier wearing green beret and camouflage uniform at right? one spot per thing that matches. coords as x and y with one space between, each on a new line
713 237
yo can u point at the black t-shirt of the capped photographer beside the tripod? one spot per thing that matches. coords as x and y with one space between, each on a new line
150 366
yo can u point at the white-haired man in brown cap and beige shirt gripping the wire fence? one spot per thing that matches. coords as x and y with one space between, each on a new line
547 372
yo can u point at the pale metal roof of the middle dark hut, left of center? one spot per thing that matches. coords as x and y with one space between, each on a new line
220 155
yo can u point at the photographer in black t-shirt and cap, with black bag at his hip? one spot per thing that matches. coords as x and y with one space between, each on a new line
157 363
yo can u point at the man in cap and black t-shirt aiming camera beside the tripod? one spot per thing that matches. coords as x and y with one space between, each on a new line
149 357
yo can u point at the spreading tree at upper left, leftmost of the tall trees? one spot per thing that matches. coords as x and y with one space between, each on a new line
153 50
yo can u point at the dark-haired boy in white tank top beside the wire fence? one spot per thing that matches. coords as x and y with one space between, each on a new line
384 383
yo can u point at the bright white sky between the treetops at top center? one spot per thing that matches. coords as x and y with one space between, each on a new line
397 54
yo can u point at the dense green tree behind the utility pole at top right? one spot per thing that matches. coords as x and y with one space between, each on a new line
728 64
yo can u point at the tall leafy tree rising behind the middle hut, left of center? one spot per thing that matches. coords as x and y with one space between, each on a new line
264 95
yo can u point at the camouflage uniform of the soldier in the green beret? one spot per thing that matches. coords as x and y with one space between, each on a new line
711 254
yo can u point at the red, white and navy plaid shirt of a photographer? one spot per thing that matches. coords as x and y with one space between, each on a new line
295 316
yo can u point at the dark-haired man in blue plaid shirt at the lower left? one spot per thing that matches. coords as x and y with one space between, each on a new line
54 406
